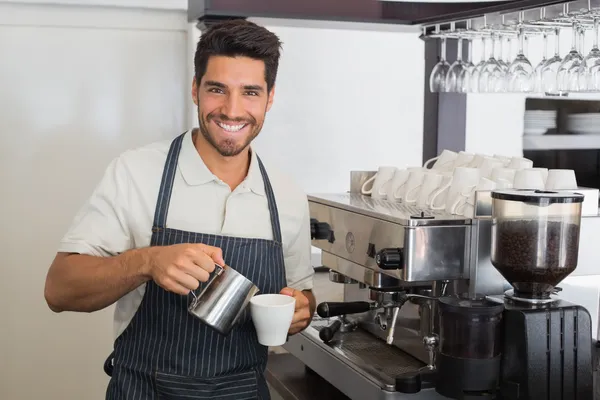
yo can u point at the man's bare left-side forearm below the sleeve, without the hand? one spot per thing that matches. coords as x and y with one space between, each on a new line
78 282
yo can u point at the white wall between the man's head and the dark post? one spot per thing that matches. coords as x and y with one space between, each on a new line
348 97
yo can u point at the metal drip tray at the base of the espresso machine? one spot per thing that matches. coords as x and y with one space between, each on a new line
367 353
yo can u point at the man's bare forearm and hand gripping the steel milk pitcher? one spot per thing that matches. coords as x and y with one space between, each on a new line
85 283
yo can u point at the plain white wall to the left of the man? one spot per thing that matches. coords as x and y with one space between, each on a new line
78 86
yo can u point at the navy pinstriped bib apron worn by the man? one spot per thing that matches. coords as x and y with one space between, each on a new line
166 353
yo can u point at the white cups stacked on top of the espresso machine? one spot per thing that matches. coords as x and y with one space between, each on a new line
449 181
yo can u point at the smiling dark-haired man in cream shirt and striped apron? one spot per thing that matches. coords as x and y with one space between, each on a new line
164 214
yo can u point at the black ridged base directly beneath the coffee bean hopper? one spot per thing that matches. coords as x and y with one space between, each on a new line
547 352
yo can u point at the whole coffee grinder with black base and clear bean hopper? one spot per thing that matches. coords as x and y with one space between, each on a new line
528 344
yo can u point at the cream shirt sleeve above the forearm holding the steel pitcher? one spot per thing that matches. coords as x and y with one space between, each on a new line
101 227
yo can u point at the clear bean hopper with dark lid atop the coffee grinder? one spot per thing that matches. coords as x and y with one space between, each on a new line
535 238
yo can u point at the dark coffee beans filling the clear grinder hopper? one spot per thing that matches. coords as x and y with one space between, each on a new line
534 256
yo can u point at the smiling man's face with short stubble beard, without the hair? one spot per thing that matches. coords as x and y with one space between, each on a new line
232 101
